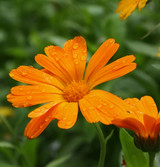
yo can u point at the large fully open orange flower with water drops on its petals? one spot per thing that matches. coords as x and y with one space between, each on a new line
63 88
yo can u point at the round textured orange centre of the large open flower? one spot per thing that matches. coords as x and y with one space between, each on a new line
75 91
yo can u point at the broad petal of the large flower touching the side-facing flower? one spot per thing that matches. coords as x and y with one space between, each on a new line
106 103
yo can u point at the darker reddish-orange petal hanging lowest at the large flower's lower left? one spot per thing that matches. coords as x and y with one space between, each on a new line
37 125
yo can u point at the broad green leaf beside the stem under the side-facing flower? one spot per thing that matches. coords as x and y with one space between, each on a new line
133 156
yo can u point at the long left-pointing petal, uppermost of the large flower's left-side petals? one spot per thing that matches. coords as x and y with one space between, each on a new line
30 75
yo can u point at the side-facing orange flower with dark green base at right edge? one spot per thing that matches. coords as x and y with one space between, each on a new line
142 118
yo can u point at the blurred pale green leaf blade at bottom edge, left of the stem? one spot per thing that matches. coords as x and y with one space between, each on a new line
58 162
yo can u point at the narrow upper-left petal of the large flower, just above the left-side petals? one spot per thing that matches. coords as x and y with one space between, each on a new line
52 65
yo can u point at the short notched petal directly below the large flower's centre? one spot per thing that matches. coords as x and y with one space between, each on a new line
66 113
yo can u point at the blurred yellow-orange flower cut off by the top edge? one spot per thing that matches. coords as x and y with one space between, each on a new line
126 7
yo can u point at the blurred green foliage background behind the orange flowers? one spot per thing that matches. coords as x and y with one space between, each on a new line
26 27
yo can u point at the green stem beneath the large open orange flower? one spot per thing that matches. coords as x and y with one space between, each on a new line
102 144
